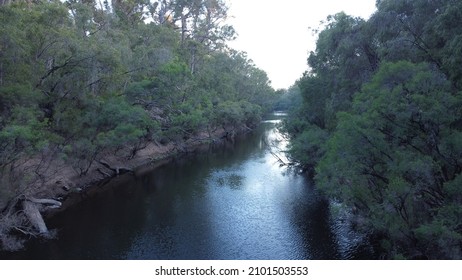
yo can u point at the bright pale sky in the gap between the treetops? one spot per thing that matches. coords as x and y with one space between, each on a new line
276 36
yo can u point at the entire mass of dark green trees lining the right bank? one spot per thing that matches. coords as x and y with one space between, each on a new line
380 124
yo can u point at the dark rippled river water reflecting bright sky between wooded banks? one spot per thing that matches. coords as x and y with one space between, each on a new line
229 201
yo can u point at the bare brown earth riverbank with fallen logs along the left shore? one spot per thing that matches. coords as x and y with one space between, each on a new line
61 186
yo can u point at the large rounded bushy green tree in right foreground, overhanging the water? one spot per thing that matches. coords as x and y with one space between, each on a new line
386 157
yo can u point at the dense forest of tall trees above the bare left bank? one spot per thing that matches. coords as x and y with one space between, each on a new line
81 79
